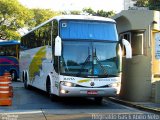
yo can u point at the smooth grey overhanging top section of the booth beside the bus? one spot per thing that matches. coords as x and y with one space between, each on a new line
137 19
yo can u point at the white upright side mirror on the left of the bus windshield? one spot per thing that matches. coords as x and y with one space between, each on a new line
58 46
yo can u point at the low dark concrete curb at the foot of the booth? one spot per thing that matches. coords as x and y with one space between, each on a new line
138 106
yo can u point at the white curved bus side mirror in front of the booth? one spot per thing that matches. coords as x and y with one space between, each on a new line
128 48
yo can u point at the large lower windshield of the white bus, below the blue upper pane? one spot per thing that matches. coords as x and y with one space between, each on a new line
89 59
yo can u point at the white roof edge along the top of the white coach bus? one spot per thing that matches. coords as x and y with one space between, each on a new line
74 17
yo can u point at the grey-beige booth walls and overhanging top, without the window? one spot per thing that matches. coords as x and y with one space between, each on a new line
137 77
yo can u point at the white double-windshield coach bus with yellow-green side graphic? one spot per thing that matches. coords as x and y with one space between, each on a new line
73 55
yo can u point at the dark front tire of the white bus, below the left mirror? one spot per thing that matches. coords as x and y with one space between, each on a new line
48 88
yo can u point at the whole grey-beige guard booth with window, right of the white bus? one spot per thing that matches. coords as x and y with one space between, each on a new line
141 74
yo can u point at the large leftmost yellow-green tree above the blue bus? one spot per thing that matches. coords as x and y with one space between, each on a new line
13 16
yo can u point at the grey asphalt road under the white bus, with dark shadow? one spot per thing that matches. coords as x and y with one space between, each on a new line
34 104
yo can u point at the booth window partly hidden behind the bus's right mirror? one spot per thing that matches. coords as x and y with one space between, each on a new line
136 39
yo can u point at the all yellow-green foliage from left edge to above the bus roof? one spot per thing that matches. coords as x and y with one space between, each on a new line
14 16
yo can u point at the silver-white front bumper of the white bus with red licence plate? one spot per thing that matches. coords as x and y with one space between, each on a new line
87 92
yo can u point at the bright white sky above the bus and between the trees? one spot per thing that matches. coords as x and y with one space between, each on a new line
67 5
